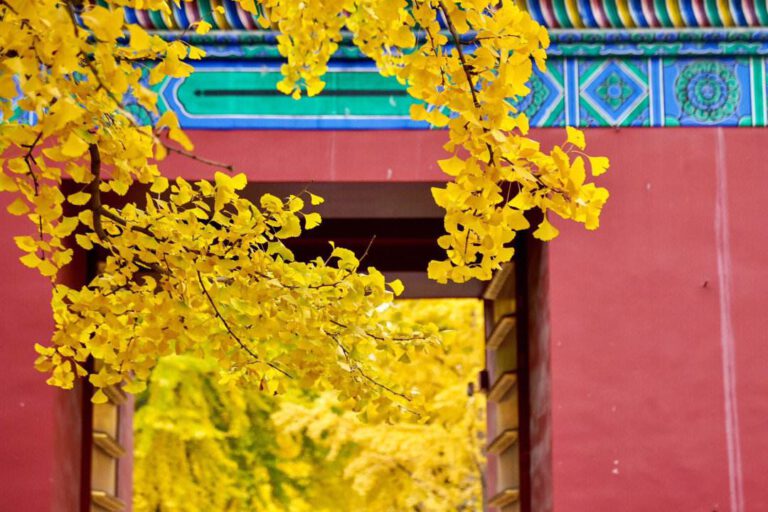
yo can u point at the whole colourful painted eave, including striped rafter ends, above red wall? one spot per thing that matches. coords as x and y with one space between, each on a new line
621 63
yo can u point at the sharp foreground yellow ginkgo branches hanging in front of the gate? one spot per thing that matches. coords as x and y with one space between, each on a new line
196 268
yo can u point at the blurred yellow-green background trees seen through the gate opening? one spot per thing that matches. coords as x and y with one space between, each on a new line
206 445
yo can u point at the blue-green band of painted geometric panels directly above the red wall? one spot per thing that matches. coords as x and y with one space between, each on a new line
651 92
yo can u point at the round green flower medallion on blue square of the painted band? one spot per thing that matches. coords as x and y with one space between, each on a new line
707 91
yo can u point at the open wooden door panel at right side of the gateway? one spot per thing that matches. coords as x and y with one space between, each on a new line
502 366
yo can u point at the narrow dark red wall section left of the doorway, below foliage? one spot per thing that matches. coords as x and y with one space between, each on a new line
39 426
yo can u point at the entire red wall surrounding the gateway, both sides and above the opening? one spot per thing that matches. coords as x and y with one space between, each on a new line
643 314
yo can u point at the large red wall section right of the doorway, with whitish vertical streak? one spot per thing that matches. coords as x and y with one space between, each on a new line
639 327
